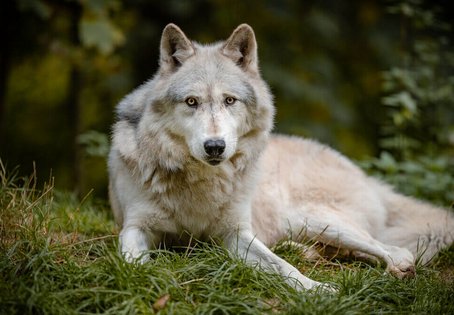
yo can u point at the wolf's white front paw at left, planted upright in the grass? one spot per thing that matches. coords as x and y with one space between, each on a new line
134 242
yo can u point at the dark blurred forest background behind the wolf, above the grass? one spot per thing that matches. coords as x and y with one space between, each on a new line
374 79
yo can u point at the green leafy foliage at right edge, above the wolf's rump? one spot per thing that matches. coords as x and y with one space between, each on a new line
418 136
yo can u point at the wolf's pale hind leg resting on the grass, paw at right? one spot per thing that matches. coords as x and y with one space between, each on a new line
336 230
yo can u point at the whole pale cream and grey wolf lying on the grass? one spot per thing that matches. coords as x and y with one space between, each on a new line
192 154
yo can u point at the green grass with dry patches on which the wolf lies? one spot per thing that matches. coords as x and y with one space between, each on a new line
59 255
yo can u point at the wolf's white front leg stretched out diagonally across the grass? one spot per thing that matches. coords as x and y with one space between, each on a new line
247 247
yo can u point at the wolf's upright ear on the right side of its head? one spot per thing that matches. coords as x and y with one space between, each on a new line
241 47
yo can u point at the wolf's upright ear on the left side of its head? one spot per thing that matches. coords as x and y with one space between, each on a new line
175 48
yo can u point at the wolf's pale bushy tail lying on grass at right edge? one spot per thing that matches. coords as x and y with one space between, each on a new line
422 228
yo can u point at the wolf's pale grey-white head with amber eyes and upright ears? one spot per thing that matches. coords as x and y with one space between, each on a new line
208 100
